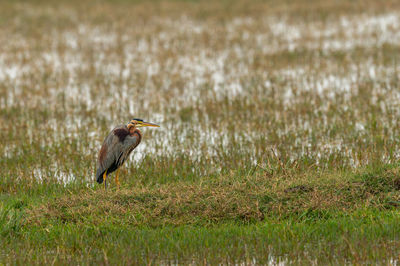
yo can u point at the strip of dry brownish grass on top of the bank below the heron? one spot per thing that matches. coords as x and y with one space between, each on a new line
224 199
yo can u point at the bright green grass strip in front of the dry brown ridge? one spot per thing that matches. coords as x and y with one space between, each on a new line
357 237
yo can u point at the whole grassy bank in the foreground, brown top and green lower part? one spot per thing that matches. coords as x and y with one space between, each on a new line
257 219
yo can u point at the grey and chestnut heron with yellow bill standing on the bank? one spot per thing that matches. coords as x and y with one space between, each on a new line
117 146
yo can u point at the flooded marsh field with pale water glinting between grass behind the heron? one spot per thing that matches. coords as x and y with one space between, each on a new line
321 89
